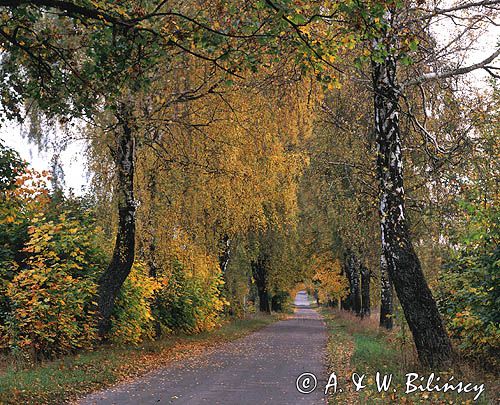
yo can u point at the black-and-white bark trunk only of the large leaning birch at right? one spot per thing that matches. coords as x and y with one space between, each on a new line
432 342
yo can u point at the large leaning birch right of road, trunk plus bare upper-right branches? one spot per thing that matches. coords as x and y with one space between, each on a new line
403 265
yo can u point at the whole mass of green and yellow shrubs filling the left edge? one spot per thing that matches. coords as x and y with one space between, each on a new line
51 255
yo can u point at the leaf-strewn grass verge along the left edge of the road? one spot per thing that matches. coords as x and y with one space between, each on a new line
72 376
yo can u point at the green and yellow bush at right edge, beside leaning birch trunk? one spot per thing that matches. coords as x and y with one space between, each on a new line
469 288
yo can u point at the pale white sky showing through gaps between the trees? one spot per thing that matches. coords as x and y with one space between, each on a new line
73 161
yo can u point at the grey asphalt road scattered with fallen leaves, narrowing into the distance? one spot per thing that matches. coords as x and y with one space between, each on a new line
260 368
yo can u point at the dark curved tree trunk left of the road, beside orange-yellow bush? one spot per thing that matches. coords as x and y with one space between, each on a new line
123 254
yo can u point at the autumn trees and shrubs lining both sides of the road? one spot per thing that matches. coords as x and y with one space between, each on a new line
241 151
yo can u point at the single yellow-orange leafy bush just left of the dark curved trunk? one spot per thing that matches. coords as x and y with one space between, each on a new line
51 296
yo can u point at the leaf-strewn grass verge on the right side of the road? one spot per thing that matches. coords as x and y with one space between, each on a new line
371 350
